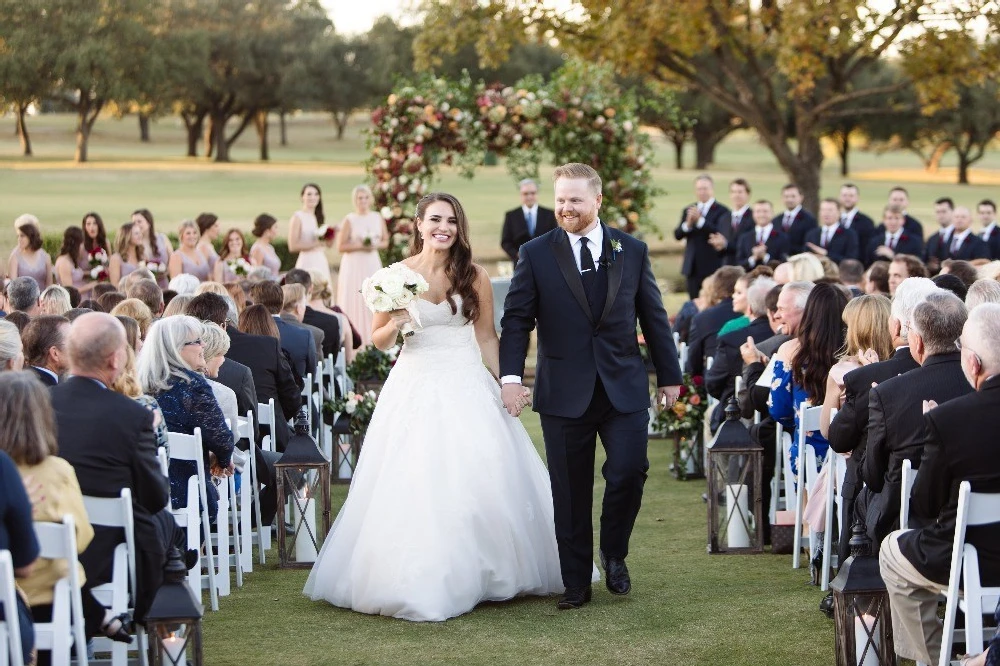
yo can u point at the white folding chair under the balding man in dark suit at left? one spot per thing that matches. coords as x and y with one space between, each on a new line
117 512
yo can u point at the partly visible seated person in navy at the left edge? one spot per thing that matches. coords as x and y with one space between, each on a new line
17 535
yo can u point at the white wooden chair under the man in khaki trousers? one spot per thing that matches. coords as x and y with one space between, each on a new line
973 509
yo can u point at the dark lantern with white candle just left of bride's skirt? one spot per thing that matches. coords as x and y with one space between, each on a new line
303 482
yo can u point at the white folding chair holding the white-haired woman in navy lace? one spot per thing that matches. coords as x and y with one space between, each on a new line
189 448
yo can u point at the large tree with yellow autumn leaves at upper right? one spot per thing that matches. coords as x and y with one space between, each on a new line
789 69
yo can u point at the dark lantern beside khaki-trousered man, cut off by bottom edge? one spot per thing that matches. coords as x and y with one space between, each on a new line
861 608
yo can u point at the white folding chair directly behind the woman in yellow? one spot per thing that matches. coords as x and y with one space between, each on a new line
65 630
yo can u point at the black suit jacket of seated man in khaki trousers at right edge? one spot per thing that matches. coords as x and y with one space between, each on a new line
959 445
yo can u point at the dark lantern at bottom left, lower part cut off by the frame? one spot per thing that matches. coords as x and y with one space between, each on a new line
174 618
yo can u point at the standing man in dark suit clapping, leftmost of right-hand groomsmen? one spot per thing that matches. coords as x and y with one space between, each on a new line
698 222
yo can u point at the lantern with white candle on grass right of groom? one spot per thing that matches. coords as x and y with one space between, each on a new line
734 488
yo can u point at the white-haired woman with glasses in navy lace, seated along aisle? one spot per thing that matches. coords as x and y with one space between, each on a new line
169 365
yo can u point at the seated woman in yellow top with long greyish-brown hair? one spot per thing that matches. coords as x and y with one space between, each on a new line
27 435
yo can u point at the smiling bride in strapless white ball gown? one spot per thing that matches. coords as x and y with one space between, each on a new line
450 504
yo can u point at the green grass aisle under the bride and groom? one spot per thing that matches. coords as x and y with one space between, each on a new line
685 608
